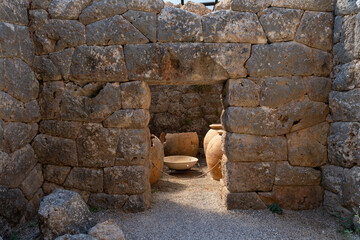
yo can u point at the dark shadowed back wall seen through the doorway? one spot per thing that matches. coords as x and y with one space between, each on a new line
188 108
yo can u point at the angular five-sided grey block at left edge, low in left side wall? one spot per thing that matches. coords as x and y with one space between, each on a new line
15 167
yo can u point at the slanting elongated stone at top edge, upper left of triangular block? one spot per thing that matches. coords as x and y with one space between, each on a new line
101 9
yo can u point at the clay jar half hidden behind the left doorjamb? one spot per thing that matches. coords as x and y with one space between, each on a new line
157 159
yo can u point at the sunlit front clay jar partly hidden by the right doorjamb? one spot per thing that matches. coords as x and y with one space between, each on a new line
214 156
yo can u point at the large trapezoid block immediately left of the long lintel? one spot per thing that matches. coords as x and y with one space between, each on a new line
98 64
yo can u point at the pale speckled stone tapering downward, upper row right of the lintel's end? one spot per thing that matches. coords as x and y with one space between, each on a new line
280 24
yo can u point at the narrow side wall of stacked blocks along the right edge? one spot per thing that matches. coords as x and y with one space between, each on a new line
341 177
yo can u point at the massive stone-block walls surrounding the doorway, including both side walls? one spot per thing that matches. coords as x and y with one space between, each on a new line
75 99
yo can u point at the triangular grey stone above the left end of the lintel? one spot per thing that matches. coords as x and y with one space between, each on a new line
145 22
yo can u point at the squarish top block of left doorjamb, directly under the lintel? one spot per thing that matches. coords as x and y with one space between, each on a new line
135 95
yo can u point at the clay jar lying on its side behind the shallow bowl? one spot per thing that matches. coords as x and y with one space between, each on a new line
186 144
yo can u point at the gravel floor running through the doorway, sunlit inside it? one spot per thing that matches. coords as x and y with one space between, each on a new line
190 208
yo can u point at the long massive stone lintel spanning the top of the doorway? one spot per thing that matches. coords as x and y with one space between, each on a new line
205 63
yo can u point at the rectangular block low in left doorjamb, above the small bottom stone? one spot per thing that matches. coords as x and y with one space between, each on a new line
125 180
